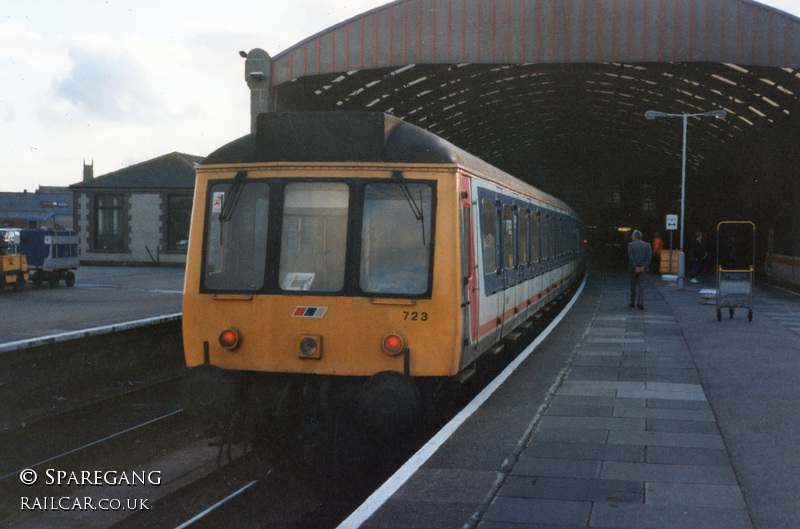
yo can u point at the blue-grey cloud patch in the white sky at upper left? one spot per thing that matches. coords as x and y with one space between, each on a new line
106 86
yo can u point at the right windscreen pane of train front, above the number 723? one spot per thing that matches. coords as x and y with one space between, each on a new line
396 238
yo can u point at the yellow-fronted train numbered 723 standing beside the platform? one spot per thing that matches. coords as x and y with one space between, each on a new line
335 254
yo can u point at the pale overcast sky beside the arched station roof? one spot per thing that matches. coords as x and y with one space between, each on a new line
123 81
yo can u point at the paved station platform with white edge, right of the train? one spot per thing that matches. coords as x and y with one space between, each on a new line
624 418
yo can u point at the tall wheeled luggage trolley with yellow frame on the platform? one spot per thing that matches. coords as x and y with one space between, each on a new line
735 269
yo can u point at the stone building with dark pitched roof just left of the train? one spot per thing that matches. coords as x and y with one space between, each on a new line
138 215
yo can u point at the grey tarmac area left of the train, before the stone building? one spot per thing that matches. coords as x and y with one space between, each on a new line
102 295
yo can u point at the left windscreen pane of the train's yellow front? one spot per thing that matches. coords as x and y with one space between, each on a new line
236 248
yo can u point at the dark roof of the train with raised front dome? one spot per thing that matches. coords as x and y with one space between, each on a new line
325 136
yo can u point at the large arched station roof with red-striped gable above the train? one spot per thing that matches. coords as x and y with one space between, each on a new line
555 92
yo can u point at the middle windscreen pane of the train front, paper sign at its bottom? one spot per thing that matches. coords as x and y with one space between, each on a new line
314 236
